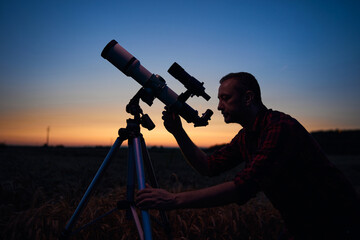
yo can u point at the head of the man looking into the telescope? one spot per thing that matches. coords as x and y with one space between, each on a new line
239 98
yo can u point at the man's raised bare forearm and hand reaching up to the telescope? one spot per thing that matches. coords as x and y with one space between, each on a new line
193 154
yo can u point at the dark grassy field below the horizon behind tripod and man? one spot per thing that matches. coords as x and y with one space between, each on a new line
41 187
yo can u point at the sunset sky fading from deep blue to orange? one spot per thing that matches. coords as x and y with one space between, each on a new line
305 55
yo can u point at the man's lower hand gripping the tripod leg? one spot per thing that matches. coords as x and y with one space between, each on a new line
155 198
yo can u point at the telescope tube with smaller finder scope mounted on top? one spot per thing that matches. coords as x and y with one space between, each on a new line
154 86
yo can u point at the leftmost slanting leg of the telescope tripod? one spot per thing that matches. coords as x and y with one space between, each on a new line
67 231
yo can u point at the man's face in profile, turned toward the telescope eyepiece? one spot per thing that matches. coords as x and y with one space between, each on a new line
231 102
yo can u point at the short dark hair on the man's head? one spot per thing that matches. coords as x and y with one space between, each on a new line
247 82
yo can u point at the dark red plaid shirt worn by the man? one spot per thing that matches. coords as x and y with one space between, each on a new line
285 162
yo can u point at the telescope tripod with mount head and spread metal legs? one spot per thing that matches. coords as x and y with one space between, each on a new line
138 158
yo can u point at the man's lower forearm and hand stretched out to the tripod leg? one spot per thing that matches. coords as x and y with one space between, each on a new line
218 195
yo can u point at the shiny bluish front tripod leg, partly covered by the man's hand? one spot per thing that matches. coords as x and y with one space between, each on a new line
135 148
